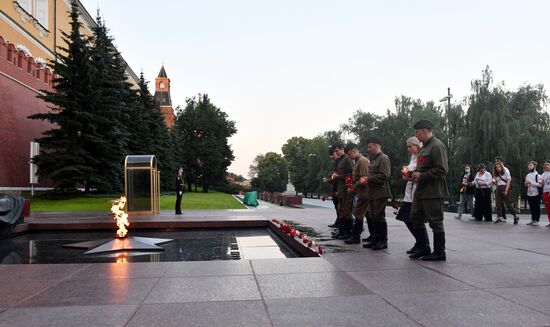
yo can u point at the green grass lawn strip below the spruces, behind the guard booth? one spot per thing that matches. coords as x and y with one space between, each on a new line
193 200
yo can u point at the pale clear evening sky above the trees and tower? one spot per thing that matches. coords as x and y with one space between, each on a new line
302 67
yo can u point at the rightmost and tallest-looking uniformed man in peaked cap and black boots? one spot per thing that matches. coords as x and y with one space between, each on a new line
432 167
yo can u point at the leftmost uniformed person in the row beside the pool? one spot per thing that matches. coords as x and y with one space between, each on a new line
342 174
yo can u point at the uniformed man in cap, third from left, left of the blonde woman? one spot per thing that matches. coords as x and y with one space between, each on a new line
378 192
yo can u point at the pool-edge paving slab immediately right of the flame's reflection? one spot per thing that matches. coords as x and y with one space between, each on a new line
208 268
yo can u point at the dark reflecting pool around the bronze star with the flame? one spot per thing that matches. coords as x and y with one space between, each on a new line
187 245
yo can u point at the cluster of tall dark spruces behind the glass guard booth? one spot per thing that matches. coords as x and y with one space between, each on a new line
98 118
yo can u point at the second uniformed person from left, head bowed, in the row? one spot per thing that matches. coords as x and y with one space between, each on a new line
359 188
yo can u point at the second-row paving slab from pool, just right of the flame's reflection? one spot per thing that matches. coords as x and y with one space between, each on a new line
201 289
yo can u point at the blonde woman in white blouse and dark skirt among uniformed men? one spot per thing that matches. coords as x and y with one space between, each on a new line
404 213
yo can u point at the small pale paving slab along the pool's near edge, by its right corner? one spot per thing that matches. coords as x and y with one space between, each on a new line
289 266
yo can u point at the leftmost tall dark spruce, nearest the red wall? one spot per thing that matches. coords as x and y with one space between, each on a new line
65 155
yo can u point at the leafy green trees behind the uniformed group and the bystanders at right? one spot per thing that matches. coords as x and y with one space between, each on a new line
492 121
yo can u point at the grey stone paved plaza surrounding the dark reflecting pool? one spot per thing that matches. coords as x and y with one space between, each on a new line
496 275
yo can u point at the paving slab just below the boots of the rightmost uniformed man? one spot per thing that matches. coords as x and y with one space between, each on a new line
404 281
